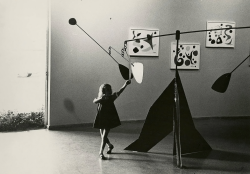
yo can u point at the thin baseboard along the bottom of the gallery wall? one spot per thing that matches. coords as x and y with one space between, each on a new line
86 125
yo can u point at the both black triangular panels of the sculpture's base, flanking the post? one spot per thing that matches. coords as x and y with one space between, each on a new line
159 123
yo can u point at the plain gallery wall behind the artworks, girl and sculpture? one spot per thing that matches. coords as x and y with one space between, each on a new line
79 66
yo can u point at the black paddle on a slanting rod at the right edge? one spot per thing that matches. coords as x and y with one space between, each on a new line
221 84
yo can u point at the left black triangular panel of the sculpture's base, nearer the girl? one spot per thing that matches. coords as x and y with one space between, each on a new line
158 124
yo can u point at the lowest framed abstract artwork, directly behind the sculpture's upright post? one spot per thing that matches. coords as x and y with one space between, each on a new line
188 56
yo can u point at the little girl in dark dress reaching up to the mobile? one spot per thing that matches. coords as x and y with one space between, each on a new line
107 116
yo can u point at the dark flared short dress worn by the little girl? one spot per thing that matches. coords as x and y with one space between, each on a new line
107 116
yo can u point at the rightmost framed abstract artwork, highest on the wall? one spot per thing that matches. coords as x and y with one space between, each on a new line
220 38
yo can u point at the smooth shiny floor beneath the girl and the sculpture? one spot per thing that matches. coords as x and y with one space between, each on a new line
75 151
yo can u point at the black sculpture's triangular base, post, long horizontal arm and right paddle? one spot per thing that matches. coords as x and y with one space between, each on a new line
171 112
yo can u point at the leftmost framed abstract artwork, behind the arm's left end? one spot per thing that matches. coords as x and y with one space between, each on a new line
144 47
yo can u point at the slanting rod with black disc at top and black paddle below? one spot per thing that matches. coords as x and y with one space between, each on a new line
123 69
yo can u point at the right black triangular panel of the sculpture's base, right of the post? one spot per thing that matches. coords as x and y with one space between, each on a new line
191 139
